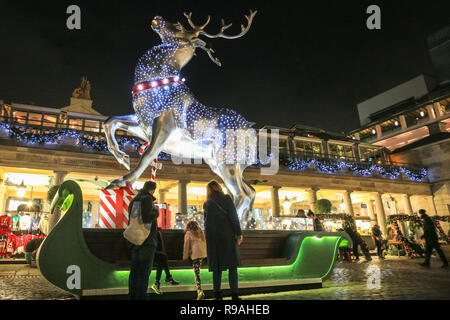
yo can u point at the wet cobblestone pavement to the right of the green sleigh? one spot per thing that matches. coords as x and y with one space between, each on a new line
400 279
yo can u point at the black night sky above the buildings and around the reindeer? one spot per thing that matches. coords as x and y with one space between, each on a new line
308 63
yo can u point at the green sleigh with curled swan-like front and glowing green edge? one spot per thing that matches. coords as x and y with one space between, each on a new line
66 261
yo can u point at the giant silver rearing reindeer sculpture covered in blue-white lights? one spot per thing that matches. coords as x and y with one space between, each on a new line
171 120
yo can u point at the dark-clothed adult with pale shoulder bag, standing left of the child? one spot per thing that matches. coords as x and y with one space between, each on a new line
142 256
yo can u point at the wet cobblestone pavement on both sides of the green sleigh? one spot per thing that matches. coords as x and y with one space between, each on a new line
400 278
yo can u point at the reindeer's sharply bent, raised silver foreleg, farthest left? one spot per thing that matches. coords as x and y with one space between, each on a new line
127 123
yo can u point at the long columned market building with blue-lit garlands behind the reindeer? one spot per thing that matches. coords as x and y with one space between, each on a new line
43 146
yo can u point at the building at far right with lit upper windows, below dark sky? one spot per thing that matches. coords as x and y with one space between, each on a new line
412 122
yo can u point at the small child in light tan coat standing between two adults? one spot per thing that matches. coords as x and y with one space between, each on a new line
195 250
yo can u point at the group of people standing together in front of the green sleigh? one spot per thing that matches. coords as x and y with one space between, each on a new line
219 243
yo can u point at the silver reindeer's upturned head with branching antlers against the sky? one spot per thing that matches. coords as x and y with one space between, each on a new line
176 33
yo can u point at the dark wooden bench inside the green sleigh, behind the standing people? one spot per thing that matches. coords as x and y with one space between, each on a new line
257 249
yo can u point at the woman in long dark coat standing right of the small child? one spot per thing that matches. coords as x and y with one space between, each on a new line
223 235
